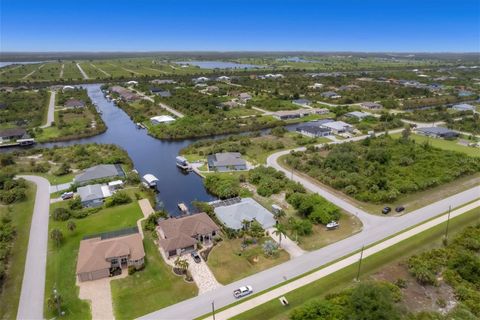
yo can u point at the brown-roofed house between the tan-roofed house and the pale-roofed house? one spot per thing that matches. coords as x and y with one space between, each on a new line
181 235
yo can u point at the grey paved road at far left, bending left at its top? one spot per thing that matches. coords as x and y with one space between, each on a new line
33 285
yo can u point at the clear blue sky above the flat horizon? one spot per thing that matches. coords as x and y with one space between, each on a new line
229 25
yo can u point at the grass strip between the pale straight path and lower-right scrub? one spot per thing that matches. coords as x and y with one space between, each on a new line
344 277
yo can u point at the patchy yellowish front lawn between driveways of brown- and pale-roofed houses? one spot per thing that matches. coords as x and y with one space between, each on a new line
229 262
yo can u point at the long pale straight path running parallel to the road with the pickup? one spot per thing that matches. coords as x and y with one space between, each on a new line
252 303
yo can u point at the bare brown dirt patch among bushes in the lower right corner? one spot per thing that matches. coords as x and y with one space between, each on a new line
416 297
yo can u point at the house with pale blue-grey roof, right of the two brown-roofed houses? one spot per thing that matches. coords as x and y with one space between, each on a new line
233 215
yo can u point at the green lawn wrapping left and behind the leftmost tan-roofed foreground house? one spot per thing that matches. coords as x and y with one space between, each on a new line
61 262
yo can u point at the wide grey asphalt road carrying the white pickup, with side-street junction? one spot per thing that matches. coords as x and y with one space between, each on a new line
375 229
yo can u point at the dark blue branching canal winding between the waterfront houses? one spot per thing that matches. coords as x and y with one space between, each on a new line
149 155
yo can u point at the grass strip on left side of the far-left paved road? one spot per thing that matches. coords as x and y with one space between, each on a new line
21 216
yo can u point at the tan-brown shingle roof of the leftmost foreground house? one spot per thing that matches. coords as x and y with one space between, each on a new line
93 252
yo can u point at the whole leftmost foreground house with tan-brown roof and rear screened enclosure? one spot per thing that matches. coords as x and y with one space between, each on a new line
98 255
